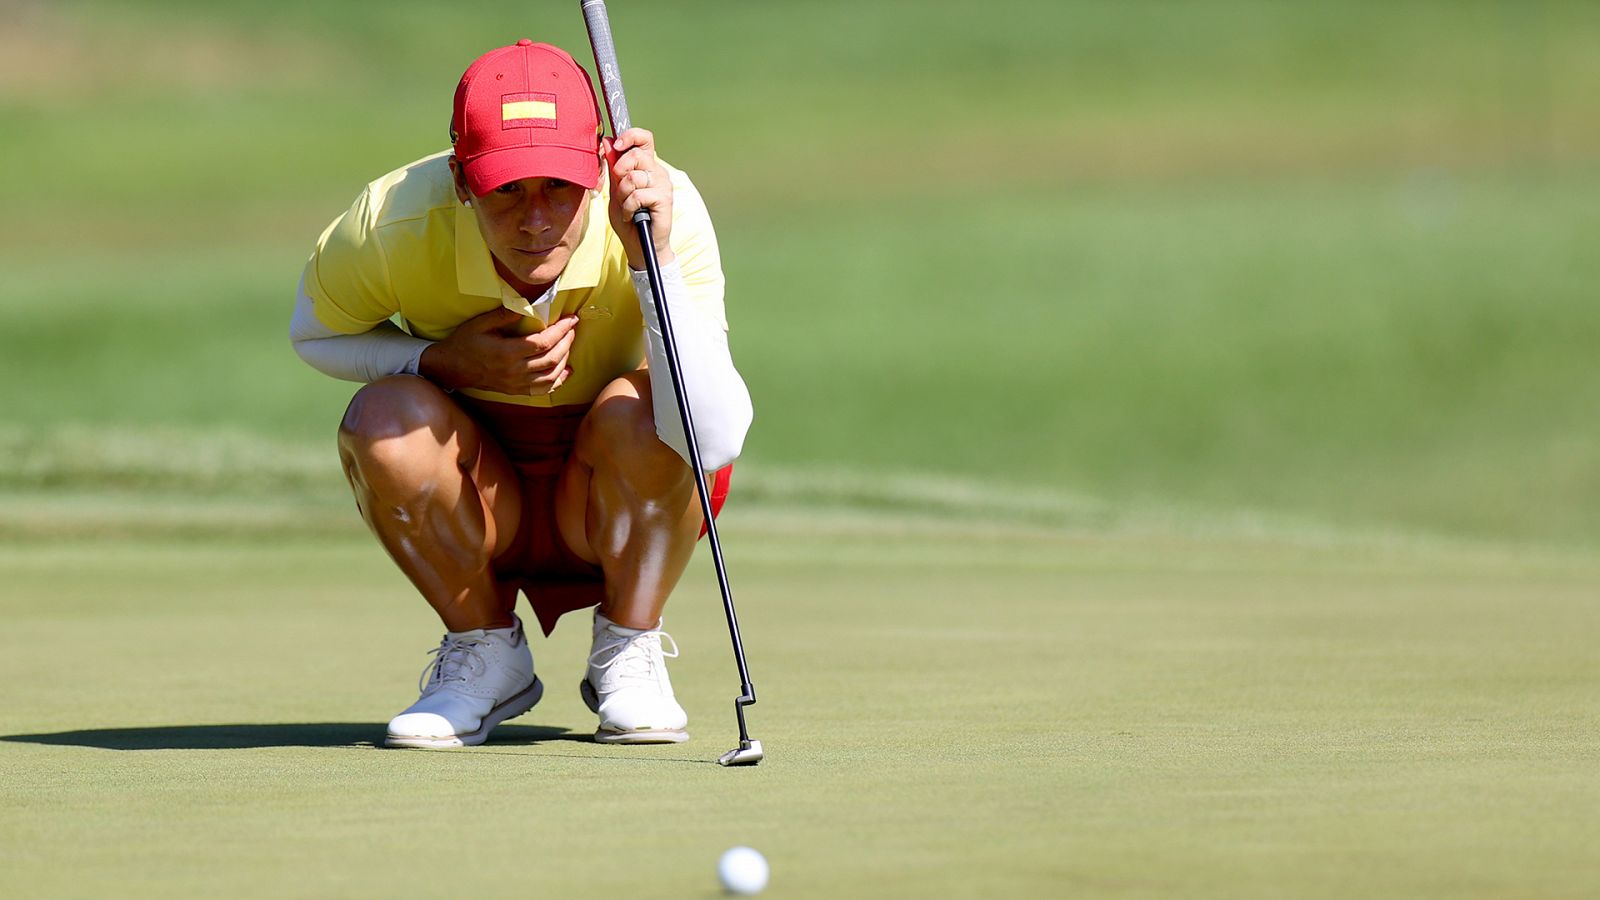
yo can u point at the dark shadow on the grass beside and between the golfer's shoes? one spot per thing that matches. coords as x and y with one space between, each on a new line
247 737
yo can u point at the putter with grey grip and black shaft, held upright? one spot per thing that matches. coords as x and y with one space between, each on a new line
750 752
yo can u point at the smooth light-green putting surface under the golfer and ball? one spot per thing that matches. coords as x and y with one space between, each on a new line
948 710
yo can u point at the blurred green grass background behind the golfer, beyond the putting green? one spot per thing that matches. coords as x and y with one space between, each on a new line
1066 260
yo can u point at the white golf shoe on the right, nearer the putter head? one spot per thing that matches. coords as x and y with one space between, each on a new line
630 688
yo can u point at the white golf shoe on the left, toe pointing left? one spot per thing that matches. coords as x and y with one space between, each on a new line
476 681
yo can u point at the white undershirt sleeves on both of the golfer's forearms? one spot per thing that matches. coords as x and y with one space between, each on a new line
718 395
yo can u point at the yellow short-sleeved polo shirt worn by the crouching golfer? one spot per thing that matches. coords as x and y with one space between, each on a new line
409 249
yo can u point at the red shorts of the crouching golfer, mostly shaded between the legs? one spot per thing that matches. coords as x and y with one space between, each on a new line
538 441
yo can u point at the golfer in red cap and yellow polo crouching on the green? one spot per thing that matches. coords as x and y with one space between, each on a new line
518 430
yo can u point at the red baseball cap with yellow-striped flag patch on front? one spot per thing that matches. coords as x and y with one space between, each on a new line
527 111
